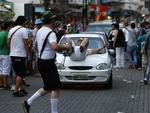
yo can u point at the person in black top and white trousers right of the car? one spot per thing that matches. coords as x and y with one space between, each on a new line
119 45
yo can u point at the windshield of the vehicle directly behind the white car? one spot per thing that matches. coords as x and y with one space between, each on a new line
99 28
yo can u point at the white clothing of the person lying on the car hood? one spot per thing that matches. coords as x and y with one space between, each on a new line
79 56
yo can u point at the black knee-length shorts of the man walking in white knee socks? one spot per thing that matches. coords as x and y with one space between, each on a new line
49 73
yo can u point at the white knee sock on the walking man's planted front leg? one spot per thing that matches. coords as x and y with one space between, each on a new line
54 105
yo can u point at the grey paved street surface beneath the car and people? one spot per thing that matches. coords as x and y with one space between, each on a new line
128 95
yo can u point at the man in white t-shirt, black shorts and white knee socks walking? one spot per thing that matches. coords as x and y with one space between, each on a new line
47 47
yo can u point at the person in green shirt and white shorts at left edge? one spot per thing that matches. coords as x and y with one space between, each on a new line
5 61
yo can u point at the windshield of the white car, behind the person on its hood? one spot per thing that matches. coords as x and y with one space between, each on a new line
93 43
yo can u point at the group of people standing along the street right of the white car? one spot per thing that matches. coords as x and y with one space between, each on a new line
131 42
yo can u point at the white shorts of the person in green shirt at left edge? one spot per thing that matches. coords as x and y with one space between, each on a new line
5 65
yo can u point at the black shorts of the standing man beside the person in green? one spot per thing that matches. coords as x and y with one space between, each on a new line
19 65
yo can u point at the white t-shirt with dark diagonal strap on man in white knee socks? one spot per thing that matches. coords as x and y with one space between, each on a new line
48 52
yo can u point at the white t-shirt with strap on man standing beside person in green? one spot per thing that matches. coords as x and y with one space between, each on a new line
17 47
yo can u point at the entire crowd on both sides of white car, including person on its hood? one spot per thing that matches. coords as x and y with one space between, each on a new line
30 48
